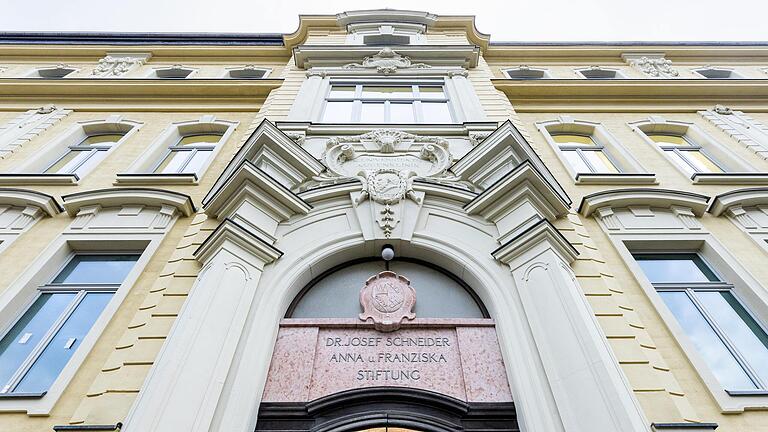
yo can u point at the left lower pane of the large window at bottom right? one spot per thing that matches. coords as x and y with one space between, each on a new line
719 359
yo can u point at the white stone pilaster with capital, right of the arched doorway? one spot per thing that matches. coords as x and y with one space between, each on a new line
589 390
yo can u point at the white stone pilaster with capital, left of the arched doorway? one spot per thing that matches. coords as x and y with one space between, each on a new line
185 386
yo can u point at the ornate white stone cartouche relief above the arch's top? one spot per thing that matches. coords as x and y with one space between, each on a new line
387 174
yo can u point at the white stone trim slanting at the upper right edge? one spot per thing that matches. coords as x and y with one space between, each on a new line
741 127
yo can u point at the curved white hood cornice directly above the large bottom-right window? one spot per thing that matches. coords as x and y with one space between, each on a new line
643 196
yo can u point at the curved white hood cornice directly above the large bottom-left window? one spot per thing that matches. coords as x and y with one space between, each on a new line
122 196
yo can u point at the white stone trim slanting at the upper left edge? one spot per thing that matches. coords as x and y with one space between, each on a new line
28 125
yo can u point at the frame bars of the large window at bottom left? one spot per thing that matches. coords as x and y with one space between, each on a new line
80 291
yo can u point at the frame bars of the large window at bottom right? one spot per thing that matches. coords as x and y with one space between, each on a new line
690 288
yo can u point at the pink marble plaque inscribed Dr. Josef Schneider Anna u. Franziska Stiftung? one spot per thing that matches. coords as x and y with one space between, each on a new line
316 359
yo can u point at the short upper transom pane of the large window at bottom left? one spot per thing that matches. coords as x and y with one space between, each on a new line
102 269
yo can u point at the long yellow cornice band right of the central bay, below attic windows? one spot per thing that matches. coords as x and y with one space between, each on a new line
632 95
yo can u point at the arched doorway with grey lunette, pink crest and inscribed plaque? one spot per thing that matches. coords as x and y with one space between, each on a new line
436 367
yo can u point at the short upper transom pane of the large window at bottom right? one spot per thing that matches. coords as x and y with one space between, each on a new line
668 268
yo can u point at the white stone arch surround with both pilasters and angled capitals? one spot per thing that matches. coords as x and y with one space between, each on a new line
498 237
